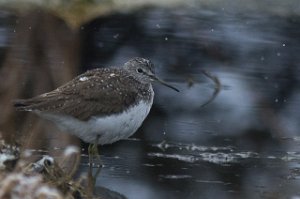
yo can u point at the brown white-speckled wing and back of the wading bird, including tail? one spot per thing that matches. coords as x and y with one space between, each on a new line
96 92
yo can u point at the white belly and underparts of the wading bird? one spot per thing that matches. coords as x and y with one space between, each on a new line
109 128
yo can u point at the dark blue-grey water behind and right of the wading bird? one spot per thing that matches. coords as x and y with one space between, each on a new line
244 144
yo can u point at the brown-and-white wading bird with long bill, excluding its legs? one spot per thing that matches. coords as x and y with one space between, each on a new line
102 105
